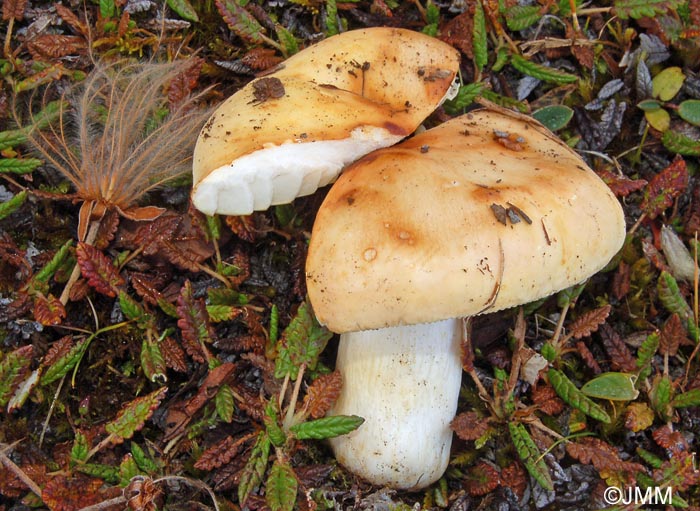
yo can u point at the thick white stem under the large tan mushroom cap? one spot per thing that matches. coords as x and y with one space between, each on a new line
405 382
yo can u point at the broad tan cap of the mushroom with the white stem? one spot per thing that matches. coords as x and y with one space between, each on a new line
484 212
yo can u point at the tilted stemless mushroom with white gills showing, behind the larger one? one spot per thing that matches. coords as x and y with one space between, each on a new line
287 133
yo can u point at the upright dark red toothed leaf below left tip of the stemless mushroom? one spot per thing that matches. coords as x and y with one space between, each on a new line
194 323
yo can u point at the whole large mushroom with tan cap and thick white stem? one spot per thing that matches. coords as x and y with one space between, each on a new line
484 212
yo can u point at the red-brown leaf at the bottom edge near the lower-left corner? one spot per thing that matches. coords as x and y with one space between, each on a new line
63 493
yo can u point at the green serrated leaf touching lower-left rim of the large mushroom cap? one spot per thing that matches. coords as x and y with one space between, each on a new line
302 343
